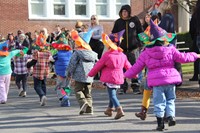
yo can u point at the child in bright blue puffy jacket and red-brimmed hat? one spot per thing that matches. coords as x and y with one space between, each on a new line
62 59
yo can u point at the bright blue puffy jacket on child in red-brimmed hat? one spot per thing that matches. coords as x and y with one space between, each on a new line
62 59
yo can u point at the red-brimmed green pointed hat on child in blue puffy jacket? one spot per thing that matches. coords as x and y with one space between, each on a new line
61 44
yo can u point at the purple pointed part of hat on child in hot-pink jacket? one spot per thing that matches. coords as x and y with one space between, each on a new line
116 37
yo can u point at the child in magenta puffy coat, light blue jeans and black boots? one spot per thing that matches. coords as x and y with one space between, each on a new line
162 76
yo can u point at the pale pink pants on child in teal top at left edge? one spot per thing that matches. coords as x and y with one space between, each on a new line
4 87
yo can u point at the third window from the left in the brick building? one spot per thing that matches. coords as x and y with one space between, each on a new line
80 7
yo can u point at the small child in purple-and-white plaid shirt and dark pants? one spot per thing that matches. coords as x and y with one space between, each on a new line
21 71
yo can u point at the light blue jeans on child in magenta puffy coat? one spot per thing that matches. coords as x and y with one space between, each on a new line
164 100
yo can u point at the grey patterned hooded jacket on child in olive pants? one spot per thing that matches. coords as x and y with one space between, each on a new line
81 62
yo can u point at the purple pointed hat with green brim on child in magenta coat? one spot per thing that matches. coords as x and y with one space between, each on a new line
156 33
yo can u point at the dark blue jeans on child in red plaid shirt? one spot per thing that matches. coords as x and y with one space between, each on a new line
40 86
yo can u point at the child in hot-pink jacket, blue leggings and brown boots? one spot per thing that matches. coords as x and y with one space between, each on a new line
111 66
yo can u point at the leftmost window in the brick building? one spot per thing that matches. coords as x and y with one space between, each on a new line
37 7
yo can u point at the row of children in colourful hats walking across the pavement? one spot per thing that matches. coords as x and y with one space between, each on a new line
82 64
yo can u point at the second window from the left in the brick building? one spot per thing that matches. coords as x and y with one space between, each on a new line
59 7
